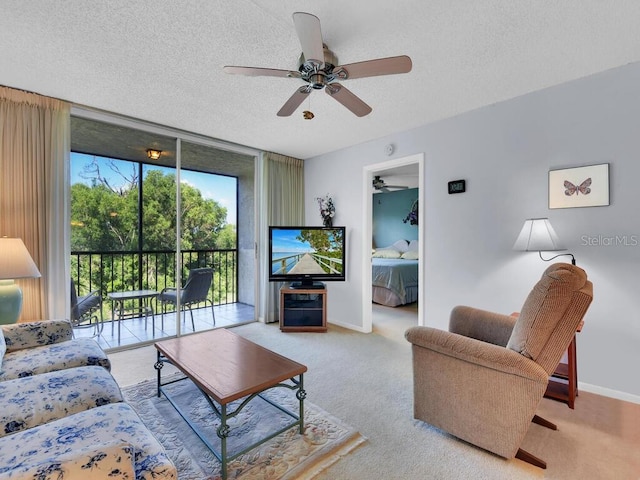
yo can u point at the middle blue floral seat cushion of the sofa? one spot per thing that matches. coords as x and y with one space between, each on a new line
31 401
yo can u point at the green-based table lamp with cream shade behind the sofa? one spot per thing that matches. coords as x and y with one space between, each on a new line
15 262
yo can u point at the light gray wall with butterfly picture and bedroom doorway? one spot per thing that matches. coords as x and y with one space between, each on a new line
504 152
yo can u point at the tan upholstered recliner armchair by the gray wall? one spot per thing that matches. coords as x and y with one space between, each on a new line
482 381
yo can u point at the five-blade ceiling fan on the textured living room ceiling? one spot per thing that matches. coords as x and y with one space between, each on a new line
317 68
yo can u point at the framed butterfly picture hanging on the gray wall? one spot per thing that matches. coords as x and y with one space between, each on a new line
579 187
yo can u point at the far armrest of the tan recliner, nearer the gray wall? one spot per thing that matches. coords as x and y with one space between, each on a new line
482 325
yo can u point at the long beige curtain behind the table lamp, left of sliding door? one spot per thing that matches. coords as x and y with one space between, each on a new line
34 173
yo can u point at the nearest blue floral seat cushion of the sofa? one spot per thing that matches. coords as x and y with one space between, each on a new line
46 449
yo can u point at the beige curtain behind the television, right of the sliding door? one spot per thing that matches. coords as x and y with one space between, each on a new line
284 189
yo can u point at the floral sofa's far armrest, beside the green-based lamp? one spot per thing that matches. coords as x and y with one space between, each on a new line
19 336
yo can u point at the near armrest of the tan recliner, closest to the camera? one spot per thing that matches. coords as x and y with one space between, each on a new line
477 352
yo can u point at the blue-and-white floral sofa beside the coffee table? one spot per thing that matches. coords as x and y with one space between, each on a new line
62 414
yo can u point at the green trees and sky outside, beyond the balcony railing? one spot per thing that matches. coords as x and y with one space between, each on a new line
121 243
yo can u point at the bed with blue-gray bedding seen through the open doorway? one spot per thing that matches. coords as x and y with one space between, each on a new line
394 275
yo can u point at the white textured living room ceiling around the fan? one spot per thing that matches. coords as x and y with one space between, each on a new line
161 61
